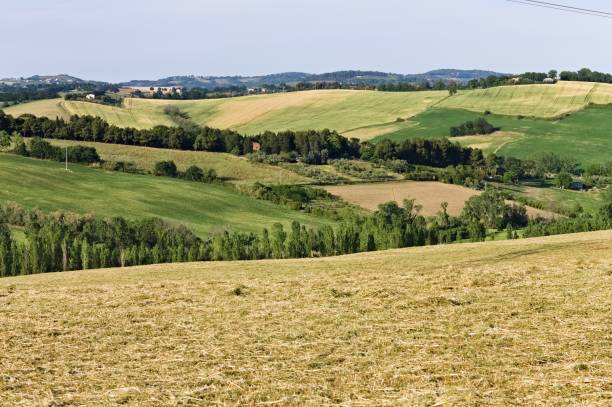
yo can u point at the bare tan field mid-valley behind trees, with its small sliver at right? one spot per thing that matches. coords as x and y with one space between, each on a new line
429 195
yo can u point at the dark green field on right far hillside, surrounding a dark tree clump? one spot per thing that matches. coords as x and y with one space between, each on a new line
585 135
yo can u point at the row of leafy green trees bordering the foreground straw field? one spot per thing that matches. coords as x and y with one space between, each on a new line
61 242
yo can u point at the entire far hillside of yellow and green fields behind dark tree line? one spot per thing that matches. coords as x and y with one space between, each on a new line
533 117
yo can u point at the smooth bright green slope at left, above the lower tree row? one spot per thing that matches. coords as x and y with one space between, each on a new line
203 208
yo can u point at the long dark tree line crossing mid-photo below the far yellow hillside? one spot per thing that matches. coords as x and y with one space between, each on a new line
313 147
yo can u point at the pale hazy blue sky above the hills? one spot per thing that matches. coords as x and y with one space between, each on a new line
117 40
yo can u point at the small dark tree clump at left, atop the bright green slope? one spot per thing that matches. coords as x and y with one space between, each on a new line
42 149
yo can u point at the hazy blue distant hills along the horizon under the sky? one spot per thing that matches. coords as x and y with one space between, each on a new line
345 77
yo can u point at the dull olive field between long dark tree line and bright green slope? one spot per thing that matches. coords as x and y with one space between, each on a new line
229 167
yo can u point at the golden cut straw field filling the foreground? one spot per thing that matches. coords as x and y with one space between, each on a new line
522 322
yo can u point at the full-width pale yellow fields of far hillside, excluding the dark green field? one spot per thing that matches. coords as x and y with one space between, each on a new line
364 114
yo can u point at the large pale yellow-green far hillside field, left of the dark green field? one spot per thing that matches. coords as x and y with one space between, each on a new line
341 110
